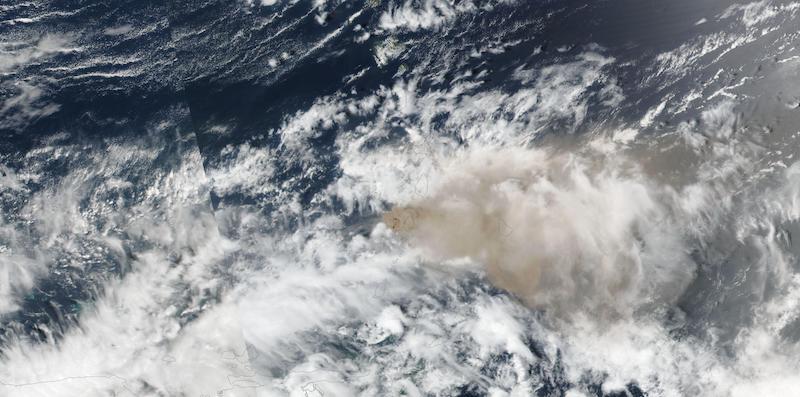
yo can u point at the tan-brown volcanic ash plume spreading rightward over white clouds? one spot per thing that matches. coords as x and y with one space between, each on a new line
563 233
